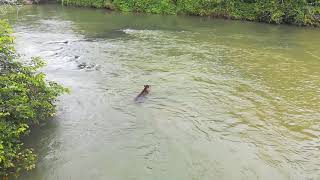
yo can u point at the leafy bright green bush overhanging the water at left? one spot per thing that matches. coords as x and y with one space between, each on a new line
26 99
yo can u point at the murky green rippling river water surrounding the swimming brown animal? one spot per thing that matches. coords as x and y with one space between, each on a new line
229 99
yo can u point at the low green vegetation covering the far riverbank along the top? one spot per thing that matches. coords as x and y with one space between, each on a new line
298 12
